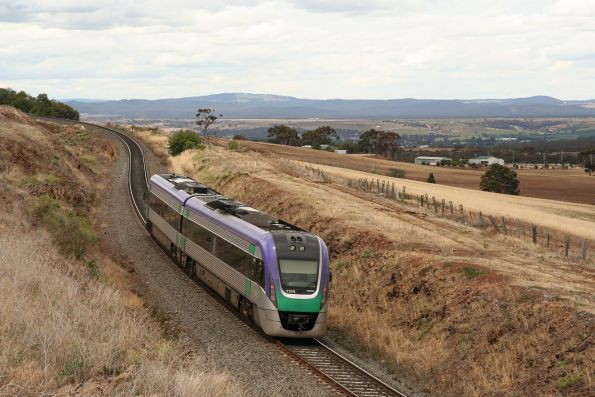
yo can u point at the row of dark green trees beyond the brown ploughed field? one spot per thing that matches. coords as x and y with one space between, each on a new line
374 141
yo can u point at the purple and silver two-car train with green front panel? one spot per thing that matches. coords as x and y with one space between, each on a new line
274 273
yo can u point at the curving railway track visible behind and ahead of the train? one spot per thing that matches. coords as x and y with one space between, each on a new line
333 368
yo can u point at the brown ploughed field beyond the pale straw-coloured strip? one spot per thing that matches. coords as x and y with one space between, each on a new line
572 185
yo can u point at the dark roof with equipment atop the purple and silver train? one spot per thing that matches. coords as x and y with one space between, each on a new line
189 191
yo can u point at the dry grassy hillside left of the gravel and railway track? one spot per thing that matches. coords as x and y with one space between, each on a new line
69 324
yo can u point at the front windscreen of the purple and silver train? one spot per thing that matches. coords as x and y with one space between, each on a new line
298 276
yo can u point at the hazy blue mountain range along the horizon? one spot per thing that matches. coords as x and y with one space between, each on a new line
256 106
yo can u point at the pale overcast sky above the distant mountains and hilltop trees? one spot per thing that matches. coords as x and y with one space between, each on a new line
306 48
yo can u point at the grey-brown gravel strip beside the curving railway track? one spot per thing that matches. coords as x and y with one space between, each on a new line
218 335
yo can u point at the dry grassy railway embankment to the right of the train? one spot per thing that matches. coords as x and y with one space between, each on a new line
451 310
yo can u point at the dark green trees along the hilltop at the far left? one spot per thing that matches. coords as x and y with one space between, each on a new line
40 105
